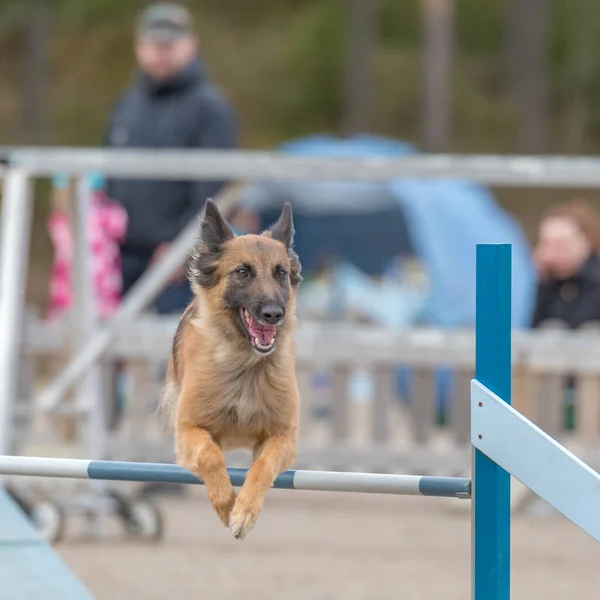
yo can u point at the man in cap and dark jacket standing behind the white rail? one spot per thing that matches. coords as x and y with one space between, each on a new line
171 104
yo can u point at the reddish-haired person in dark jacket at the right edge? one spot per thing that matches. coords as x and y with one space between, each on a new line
567 260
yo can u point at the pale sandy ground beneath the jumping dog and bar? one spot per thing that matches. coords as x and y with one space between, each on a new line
326 546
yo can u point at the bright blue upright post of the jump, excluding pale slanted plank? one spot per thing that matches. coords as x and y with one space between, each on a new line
491 484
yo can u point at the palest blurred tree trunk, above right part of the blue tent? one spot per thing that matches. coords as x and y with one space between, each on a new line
436 73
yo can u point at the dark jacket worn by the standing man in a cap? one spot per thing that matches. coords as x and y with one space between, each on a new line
184 112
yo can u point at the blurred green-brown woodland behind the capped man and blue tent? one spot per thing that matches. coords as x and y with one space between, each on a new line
447 76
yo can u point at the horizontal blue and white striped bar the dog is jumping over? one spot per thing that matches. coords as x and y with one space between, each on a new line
325 481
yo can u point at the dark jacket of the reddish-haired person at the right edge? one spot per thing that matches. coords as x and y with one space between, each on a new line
575 300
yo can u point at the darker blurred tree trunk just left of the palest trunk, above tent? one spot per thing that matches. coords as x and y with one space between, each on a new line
359 68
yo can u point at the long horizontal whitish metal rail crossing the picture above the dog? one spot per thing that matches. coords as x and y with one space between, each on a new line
520 171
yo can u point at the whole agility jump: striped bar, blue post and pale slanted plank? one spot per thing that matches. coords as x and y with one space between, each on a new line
504 443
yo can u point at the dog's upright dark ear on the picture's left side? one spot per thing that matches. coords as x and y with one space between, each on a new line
214 232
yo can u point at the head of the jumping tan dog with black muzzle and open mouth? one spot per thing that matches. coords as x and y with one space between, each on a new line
248 282
